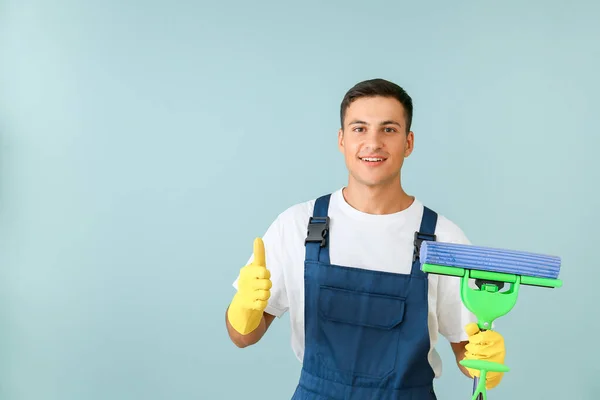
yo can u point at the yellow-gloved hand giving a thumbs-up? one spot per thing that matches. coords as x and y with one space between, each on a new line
246 309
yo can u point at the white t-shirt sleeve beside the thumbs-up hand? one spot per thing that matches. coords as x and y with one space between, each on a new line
275 258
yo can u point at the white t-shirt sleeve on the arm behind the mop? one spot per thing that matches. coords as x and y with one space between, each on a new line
453 316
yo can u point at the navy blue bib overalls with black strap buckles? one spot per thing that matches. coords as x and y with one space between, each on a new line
366 332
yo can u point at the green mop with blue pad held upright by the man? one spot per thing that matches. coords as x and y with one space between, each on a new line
491 269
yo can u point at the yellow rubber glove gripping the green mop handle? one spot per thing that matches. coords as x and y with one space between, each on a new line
485 345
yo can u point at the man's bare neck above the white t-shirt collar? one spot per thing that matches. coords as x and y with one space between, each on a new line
379 200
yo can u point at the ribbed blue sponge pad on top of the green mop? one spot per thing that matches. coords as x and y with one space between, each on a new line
490 259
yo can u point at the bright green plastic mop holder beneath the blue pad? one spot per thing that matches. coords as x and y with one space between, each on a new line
488 302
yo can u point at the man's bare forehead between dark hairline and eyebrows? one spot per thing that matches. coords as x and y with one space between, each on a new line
374 109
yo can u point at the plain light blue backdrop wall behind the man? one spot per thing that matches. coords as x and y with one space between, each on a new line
143 146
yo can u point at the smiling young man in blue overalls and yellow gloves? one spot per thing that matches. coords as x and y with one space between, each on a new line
364 317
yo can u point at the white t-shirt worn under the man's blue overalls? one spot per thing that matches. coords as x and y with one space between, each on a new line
357 239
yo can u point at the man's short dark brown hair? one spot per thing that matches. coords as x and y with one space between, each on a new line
378 87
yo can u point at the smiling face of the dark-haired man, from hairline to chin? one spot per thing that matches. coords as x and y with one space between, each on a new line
374 140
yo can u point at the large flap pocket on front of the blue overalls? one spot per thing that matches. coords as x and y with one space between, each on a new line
358 332
